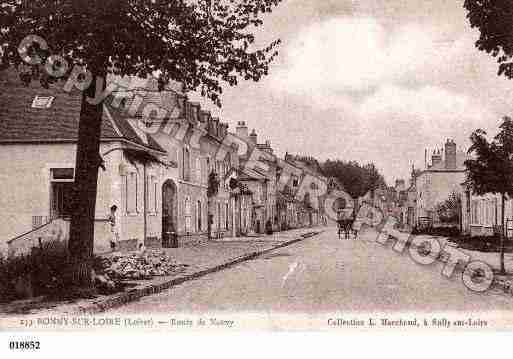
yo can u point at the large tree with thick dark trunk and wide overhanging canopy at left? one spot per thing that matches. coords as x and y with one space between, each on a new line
202 44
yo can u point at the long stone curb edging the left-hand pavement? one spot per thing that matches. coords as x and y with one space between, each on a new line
137 293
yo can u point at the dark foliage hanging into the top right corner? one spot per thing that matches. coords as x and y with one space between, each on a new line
494 19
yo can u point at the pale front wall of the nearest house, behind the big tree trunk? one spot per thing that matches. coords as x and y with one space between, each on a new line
25 184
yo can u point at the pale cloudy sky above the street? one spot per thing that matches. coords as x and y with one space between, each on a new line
371 81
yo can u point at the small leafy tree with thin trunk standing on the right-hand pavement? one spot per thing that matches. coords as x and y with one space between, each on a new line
491 171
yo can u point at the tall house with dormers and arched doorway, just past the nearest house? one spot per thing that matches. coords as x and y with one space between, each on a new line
192 141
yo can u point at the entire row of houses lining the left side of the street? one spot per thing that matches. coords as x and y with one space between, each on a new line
173 180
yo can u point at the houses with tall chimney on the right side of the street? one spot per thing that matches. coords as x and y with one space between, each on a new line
444 176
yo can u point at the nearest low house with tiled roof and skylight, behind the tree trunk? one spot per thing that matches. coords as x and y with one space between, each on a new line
38 133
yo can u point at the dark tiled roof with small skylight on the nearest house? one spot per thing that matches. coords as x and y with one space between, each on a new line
21 123
